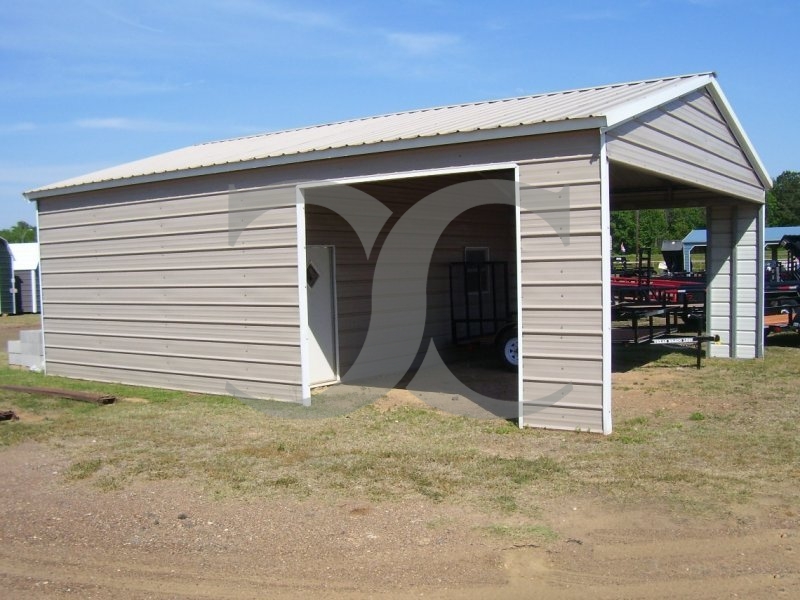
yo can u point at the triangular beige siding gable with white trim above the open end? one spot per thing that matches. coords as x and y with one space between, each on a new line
687 140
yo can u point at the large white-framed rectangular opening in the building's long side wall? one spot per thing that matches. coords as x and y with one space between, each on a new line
468 287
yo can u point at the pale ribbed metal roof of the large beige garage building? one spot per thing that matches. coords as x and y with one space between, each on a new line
584 108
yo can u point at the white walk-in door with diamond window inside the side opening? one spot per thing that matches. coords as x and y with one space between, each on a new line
321 280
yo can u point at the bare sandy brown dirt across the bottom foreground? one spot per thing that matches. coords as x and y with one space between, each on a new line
165 540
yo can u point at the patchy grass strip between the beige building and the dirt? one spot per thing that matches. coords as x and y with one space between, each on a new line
732 434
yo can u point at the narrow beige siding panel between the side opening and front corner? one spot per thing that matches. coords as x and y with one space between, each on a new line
562 308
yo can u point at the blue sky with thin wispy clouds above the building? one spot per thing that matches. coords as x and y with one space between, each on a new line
86 84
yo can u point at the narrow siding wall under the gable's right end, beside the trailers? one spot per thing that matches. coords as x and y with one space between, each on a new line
733 258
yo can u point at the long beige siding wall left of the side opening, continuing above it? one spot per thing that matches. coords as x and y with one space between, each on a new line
157 263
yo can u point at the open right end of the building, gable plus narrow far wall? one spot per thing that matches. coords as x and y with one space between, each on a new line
691 151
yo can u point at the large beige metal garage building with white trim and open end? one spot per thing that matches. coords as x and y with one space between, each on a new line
225 268
